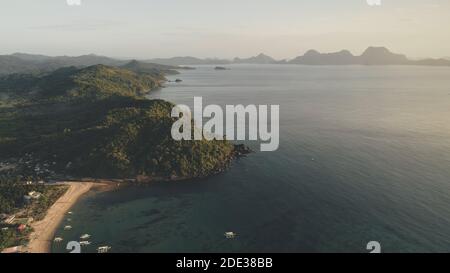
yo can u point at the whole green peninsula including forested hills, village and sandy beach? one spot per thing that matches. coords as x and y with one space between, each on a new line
96 122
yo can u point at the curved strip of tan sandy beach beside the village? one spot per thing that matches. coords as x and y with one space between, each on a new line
44 230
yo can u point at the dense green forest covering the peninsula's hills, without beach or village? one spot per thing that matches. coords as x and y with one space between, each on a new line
95 122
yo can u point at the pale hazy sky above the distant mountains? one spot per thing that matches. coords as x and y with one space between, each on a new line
223 28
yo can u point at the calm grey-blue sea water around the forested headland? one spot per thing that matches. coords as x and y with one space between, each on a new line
364 156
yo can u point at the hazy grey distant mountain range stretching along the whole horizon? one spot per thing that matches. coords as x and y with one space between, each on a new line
29 63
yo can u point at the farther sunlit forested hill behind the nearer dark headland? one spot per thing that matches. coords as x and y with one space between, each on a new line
71 82
